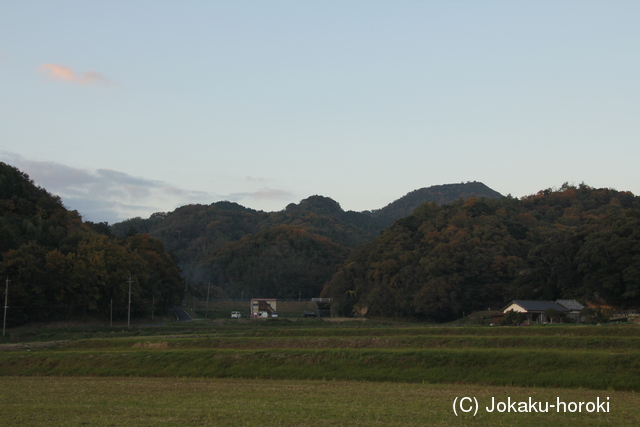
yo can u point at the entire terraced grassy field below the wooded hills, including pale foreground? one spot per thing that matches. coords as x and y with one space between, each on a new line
311 372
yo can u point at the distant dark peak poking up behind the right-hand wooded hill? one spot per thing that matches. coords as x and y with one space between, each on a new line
441 194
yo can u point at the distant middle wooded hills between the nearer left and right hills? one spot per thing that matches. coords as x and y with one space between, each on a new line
204 237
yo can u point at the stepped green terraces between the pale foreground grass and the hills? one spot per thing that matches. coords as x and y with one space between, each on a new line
589 357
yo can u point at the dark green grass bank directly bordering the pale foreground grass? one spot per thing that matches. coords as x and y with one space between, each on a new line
553 368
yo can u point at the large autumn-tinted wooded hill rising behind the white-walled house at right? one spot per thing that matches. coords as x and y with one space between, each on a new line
441 261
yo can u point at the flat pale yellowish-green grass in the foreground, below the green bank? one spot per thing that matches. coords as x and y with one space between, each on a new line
70 401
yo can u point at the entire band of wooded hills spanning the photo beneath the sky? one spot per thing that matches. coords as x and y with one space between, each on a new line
443 259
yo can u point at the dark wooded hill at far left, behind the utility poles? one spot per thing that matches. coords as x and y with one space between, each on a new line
61 267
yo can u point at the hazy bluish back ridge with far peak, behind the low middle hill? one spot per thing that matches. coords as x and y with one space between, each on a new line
194 233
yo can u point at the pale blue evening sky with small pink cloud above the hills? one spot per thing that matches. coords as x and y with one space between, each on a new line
124 108
